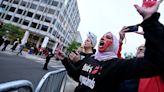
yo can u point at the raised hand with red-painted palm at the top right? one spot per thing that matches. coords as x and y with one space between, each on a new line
148 8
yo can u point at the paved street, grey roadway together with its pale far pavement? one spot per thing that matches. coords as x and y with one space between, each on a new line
27 67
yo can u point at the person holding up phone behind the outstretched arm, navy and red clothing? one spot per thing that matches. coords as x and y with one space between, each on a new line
152 84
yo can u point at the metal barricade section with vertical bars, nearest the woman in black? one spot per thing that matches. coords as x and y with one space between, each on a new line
52 81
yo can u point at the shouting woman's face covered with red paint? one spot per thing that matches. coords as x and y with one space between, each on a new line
105 42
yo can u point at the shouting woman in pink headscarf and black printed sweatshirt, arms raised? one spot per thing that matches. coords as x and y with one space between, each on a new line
105 72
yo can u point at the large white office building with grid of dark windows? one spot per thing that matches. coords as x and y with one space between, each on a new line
48 23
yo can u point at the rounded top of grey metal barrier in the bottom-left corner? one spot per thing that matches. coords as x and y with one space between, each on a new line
14 86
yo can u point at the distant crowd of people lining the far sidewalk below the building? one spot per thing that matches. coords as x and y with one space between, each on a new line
18 47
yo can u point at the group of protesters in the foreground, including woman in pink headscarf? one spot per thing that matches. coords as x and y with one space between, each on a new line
107 71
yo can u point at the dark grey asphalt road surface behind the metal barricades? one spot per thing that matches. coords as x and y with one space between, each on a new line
13 67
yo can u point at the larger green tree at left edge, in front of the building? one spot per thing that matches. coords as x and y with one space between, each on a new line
11 31
